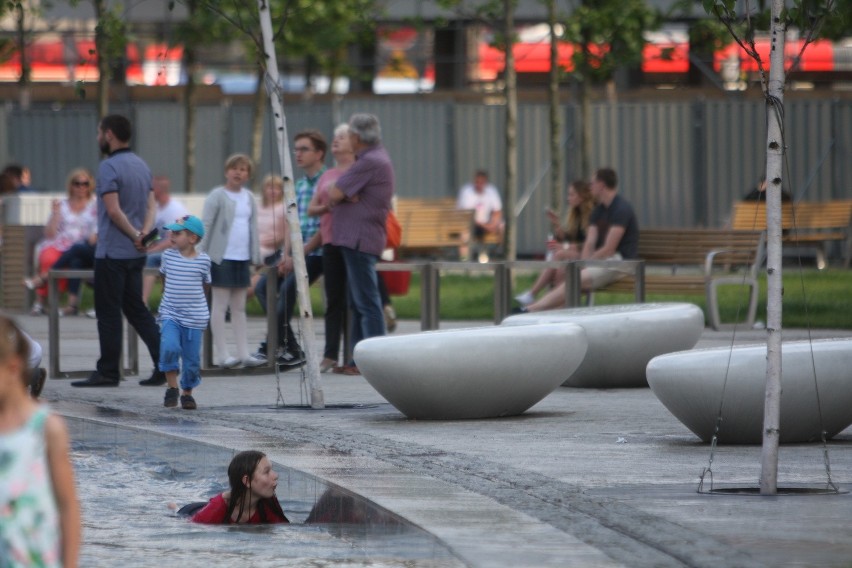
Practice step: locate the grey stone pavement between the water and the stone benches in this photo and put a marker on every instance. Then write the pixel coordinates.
(584, 478)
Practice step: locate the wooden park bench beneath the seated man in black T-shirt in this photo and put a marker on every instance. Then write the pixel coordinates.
(698, 261)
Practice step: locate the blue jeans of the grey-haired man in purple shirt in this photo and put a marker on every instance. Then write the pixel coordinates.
(362, 279)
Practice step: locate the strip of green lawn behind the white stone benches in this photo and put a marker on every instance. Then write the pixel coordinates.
(818, 299)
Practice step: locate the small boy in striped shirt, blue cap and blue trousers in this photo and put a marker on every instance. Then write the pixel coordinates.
(183, 310)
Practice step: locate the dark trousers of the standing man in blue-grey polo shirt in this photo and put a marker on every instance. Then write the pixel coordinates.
(118, 289)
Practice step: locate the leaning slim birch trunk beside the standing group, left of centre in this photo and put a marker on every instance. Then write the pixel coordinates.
(296, 244)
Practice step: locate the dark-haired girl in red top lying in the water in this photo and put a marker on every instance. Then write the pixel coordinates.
(252, 497)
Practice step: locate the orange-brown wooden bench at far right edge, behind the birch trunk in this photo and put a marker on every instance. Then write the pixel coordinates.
(807, 224)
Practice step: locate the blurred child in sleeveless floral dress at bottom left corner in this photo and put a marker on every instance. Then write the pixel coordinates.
(39, 512)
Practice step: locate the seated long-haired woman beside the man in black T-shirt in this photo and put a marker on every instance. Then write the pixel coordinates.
(568, 238)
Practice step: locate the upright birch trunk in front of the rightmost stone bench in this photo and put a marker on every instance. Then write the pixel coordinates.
(774, 170)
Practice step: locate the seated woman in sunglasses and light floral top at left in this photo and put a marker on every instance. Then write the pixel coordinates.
(73, 221)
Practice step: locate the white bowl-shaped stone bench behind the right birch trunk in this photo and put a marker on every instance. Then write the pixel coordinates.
(690, 385)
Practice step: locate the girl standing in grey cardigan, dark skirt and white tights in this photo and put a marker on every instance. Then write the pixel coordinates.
(231, 242)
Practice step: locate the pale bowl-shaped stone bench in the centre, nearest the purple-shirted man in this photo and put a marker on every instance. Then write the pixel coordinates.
(483, 372)
